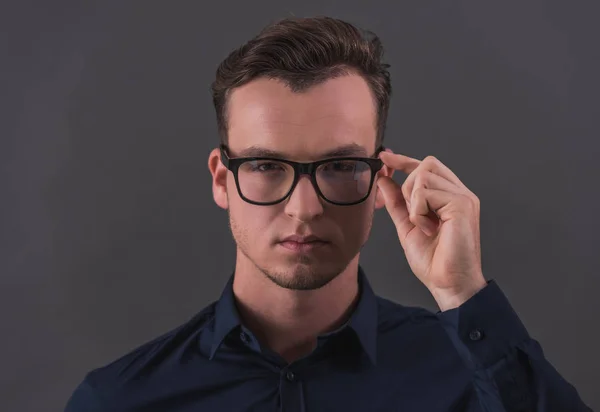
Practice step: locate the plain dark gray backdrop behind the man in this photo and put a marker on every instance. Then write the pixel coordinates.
(109, 234)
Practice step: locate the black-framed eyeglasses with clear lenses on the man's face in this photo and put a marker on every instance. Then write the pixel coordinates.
(342, 181)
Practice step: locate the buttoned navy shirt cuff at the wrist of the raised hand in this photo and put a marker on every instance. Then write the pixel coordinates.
(487, 324)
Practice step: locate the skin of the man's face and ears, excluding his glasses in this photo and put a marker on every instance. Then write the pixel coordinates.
(302, 127)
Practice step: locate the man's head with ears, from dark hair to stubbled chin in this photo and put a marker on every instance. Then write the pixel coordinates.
(303, 90)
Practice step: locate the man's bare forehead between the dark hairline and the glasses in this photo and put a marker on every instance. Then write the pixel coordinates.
(334, 119)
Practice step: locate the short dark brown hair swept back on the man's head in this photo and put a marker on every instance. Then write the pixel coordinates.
(303, 52)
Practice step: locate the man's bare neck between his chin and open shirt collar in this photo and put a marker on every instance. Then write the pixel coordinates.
(289, 321)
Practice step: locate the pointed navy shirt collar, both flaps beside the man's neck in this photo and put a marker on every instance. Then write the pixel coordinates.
(363, 320)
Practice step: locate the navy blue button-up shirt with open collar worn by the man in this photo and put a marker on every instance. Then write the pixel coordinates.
(387, 357)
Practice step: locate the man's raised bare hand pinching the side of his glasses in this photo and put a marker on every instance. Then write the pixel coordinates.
(437, 220)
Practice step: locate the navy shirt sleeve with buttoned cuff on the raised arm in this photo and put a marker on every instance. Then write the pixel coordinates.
(511, 372)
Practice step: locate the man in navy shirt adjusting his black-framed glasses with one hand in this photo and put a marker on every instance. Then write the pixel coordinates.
(301, 111)
